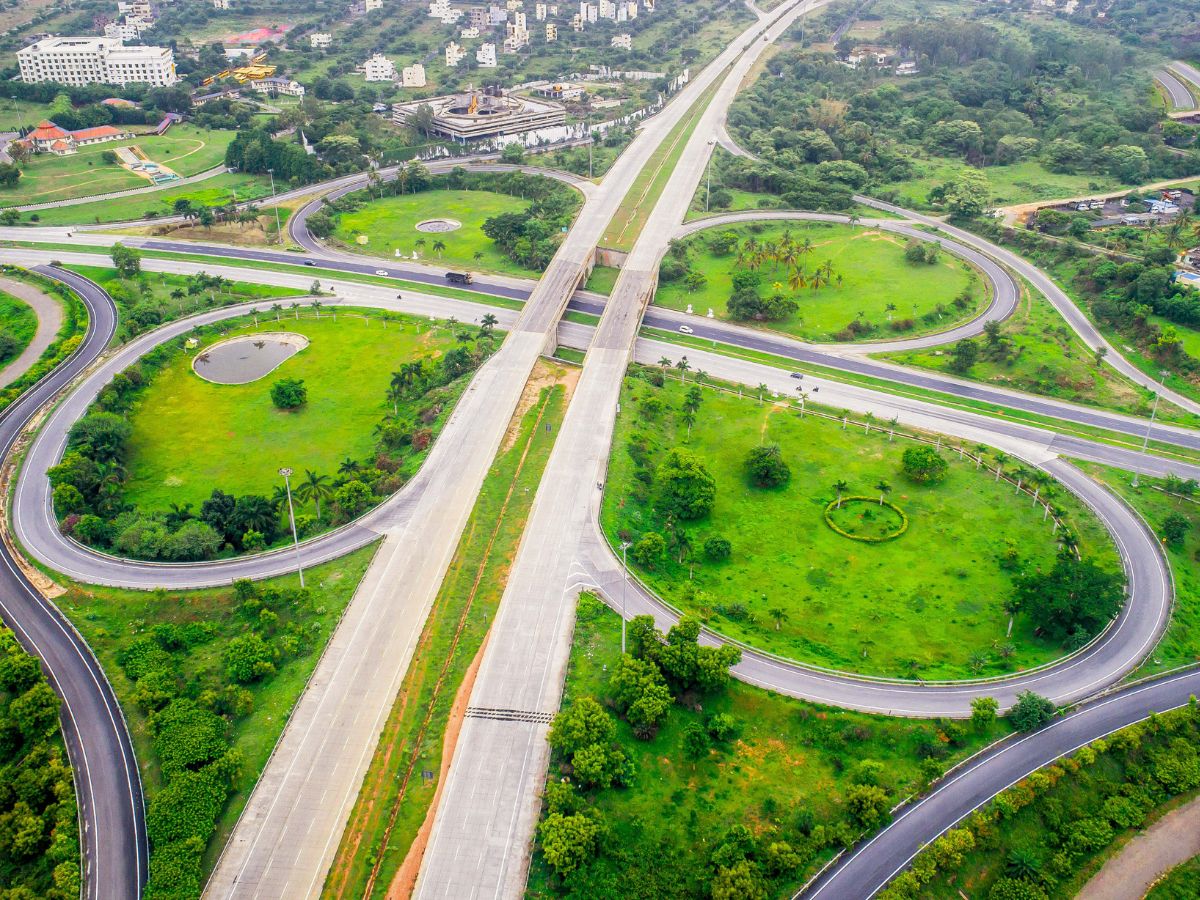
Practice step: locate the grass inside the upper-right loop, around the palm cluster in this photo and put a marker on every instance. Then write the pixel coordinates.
(871, 265)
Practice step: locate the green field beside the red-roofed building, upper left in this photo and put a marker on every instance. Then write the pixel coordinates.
(185, 149)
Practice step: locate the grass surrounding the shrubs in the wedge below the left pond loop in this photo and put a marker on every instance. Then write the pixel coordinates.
(110, 620)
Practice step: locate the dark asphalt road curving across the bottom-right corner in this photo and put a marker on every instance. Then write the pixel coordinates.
(868, 868)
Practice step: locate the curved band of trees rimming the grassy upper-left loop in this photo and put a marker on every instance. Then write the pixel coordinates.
(529, 238)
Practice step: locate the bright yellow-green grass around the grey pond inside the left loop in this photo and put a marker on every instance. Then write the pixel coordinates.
(191, 436)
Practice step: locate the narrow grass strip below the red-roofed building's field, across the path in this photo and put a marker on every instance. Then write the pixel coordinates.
(215, 191)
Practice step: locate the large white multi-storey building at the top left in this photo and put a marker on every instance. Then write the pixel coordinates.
(95, 61)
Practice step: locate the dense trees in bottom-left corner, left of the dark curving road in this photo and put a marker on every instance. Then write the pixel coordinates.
(39, 819)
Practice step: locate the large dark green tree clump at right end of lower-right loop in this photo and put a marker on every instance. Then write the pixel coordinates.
(1075, 598)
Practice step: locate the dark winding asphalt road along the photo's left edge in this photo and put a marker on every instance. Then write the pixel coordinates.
(106, 773)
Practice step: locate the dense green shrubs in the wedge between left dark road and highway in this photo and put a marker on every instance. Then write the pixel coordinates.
(194, 682)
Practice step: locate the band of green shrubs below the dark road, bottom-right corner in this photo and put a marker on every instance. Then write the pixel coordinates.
(1036, 838)
